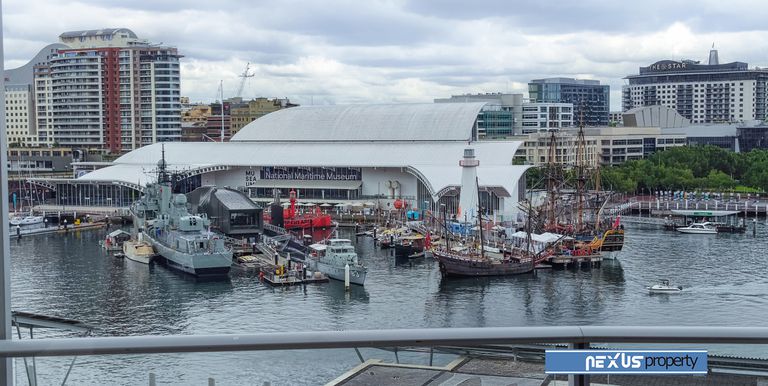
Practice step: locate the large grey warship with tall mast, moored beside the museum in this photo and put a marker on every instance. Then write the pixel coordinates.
(184, 240)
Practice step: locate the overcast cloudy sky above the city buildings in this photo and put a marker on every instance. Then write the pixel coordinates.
(367, 51)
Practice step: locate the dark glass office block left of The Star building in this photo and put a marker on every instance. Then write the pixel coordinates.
(590, 99)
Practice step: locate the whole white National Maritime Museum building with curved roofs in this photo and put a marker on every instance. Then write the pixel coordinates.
(364, 154)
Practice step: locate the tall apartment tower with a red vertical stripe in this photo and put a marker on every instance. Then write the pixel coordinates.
(107, 89)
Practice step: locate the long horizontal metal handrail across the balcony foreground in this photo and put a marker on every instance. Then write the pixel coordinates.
(579, 335)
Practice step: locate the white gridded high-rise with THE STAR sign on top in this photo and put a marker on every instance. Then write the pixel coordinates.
(703, 93)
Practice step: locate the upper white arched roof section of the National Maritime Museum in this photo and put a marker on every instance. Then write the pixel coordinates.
(395, 122)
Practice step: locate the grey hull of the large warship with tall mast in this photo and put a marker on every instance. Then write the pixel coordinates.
(200, 265)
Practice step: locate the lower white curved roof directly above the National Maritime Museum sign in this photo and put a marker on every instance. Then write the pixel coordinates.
(436, 162)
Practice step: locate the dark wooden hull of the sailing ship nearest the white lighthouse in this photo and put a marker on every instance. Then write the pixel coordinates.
(464, 267)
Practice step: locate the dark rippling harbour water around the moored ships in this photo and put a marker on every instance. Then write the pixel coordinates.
(725, 278)
